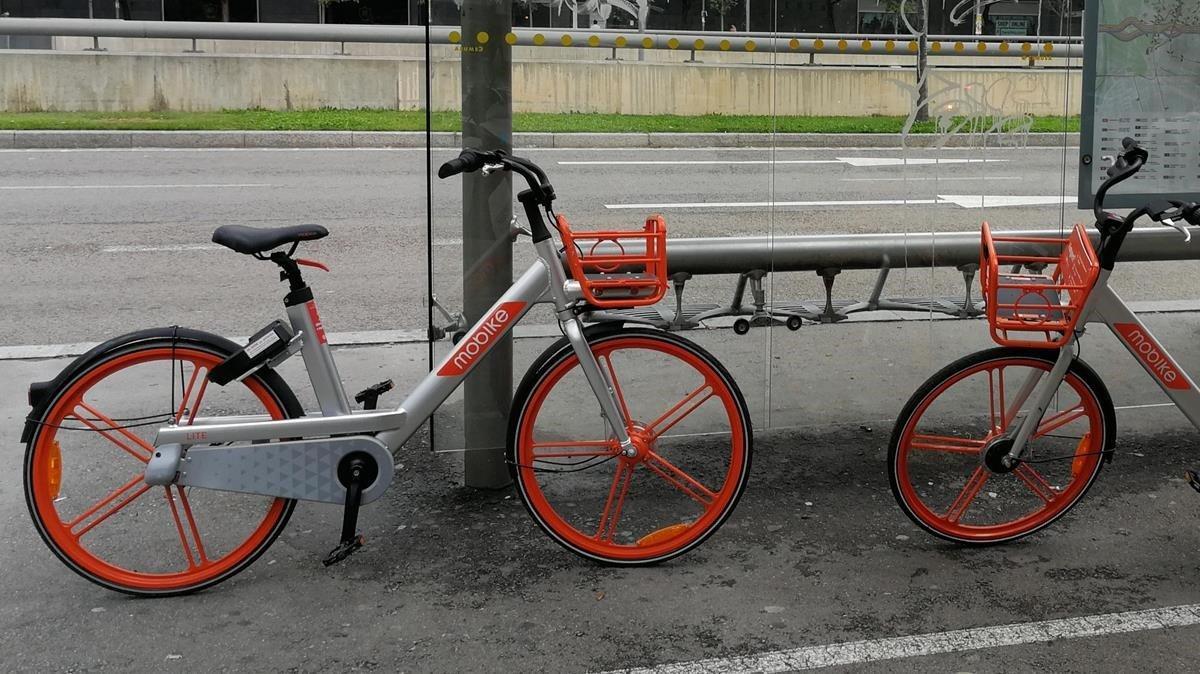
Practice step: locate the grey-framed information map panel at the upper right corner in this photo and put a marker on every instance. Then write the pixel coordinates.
(1142, 80)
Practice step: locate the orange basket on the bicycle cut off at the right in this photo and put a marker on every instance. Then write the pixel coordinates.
(1037, 310)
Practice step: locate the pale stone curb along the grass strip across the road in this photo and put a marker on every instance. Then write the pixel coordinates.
(349, 140)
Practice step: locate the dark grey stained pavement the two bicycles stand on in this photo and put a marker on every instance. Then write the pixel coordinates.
(455, 580)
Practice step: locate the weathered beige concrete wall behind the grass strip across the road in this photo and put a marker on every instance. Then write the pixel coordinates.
(59, 81)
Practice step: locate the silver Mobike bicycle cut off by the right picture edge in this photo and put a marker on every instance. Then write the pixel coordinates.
(1001, 443)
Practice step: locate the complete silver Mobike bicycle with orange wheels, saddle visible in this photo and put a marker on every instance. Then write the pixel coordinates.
(166, 461)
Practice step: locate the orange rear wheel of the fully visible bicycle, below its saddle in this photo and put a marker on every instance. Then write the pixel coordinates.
(85, 472)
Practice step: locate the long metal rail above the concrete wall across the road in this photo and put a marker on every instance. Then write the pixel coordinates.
(801, 44)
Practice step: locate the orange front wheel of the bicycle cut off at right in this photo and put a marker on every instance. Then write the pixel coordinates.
(939, 455)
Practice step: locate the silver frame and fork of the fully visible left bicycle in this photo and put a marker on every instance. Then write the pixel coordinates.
(545, 281)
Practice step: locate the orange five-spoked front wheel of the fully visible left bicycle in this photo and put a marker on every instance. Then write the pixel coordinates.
(688, 420)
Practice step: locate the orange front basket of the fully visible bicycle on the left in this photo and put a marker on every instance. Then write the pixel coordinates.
(619, 269)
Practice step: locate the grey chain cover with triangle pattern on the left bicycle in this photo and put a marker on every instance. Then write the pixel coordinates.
(295, 470)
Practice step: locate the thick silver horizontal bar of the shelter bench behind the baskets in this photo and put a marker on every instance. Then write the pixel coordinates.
(878, 251)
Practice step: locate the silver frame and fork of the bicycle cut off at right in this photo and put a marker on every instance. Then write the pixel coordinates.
(1105, 306)
